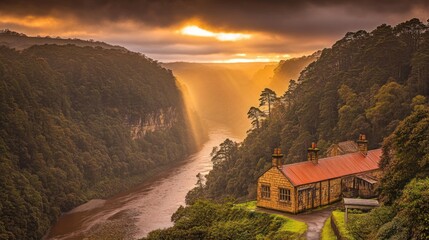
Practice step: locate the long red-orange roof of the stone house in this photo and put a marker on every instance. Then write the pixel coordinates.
(331, 167)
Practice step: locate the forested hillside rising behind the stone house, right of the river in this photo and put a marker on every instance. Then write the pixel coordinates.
(366, 83)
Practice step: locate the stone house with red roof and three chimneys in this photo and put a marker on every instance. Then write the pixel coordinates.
(316, 182)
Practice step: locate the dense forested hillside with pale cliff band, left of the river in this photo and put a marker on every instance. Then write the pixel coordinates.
(78, 123)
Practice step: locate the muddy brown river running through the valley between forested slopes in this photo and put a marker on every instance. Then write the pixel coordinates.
(146, 207)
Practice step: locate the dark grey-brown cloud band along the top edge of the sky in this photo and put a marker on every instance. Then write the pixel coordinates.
(312, 17)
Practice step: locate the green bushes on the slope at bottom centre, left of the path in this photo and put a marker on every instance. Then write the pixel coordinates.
(208, 220)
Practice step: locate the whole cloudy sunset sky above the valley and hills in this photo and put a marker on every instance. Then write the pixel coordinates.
(208, 30)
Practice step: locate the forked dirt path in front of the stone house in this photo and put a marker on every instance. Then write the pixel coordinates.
(314, 219)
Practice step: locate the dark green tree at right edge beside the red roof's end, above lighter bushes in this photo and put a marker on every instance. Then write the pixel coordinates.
(405, 154)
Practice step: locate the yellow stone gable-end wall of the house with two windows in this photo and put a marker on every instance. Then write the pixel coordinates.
(275, 179)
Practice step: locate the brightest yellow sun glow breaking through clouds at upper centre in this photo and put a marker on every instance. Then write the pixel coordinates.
(221, 36)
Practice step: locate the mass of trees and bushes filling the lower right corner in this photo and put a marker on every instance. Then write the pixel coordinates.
(404, 184)
